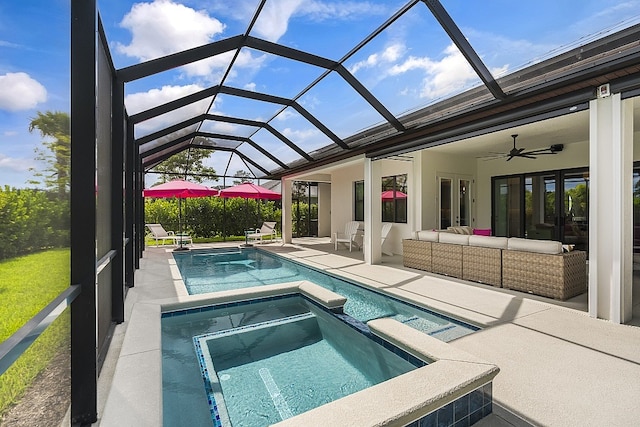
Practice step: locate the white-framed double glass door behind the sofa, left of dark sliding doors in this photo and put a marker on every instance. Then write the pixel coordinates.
(454, 200)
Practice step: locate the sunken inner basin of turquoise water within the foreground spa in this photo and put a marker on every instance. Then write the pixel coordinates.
(274, 370)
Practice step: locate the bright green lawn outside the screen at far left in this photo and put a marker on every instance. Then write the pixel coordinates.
(27, 285)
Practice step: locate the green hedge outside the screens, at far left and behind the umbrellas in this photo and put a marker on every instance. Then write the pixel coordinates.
(32, 220)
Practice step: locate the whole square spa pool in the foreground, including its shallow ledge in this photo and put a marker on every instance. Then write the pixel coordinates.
(271, 360)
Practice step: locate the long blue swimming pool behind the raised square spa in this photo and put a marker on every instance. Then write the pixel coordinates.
(217, 270)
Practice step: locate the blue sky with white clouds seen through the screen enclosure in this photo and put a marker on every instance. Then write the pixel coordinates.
(409, 65)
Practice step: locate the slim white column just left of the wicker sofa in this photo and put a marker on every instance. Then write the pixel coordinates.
(372, 212)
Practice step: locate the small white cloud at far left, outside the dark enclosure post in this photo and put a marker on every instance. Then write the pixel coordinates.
(19, 91)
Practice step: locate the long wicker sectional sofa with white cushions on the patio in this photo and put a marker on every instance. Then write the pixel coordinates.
(539, 267)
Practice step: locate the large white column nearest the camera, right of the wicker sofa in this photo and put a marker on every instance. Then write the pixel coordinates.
(610, 208)
